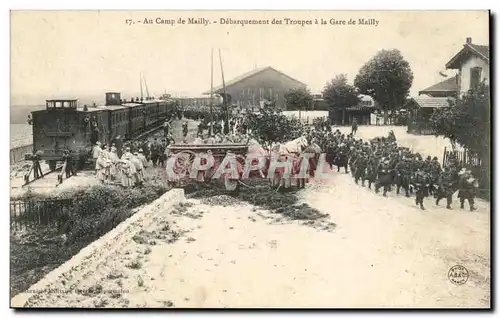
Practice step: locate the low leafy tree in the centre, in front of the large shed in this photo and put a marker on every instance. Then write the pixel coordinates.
(272, 126)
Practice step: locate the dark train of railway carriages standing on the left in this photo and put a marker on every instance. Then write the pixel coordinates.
(64, 125)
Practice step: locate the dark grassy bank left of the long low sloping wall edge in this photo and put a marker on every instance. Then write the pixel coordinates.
(95, 211)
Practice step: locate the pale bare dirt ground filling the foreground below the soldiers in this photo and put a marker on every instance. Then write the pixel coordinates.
(384, 252)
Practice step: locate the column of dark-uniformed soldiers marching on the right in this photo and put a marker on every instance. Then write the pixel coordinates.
(384, 164)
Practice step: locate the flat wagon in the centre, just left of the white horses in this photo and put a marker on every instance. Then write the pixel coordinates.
(182, 157)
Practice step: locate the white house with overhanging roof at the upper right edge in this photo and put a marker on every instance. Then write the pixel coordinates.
(473, 65)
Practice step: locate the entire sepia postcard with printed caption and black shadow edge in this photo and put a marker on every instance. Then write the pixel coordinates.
(250, 159)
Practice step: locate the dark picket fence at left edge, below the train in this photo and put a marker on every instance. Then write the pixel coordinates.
(27, 214)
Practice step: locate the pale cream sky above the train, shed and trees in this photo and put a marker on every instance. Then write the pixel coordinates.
(58, 54)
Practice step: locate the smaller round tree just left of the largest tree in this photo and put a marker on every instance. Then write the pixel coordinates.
(340, 95)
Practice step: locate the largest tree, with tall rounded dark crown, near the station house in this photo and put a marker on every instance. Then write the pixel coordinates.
(387, 77)
